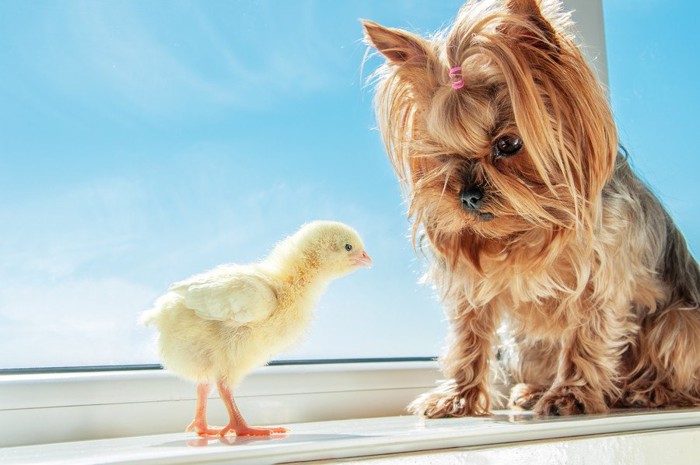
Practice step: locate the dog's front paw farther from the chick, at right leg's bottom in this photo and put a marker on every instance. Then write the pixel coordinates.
(569, 401)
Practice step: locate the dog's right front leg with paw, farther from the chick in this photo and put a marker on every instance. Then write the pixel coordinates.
(587, 378)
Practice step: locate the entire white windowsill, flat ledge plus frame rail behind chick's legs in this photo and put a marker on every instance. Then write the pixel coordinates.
(332, 410)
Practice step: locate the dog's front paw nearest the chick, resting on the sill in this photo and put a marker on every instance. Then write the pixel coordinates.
(446, 401)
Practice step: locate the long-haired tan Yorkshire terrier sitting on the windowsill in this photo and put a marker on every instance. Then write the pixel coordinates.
(504, 141)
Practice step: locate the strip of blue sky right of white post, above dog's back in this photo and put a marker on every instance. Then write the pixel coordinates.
(652, 50)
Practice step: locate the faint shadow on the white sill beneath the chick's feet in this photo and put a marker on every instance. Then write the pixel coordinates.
(242, 441)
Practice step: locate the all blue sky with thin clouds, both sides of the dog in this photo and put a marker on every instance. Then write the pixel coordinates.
(146, 141)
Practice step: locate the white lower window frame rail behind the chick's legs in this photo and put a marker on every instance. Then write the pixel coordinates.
(40, 408)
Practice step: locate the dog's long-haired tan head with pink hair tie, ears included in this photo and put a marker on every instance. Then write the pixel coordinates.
(497, 127)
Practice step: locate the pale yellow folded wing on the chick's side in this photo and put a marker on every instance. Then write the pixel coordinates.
(232, 295)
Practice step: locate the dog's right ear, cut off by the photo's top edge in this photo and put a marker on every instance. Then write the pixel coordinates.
(535, 30)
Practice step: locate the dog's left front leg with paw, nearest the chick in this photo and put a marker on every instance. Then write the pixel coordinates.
(465, 392)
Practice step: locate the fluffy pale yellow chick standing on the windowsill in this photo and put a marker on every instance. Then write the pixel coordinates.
(220, 325)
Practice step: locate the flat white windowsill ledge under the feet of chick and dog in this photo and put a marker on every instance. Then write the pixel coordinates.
(425, 441)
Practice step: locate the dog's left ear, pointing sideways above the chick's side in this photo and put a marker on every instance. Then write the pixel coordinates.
(398, 46)
